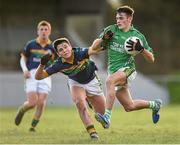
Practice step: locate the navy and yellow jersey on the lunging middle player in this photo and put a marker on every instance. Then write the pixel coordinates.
(80, 69)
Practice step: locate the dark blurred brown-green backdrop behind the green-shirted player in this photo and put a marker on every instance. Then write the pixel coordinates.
(159, 21)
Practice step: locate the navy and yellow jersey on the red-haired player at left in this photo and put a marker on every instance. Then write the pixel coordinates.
(34, 50)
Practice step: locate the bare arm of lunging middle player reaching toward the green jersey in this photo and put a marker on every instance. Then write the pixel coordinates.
(95, 47)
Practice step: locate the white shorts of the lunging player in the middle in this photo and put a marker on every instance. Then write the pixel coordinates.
(93, 88)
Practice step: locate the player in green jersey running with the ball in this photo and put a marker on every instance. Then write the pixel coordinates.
(121, 66)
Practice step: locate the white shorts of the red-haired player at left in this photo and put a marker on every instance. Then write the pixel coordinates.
(40, 86)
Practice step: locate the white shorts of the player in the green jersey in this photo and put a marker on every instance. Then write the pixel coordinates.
(130, 76)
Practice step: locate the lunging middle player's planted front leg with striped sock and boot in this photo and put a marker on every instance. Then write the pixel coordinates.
(79, 98)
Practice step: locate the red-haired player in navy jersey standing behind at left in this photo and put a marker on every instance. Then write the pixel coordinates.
(36, 91)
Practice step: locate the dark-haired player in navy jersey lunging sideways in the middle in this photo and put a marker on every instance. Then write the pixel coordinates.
(83, 80)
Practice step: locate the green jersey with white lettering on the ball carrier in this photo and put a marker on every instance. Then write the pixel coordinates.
(117, 56)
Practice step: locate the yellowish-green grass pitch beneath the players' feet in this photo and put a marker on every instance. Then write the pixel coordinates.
(63, 126)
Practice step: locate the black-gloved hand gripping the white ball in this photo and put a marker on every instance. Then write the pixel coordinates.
(135, 45)
